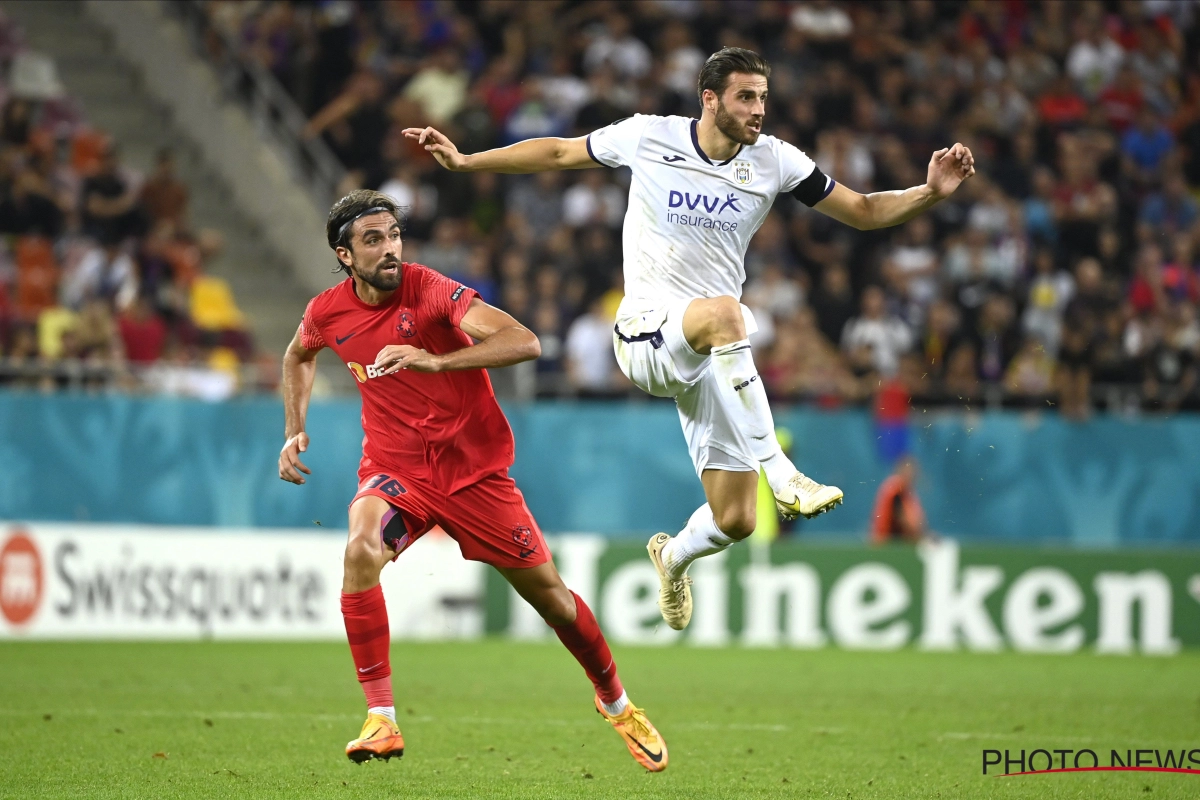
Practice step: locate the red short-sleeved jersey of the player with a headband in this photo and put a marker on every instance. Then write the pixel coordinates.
(443, 428)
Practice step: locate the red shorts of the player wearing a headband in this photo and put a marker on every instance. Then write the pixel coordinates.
(489, 520)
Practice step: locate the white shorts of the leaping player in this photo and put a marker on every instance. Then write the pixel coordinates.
(661, 363)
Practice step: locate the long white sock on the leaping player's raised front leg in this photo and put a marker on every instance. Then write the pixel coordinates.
(747, 402)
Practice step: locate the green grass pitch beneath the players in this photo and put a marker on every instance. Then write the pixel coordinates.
(502, 720)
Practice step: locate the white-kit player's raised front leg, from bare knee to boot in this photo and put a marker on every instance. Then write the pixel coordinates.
(717, 327)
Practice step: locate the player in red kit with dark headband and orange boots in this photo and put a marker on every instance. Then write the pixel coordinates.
(436, 453)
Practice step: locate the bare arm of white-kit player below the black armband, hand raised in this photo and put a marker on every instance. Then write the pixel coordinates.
(947, 170)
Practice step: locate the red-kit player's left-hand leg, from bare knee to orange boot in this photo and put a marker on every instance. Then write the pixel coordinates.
(373, 520)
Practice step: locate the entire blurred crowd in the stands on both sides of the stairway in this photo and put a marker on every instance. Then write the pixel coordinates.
(1064, 275)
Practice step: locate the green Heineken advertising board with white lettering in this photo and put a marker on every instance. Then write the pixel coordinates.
(935, 597)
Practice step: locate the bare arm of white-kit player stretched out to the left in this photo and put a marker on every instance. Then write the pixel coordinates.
(530, 157)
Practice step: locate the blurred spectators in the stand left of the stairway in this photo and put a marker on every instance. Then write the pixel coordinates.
(103, 276)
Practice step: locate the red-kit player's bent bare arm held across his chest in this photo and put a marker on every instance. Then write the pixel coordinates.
(502, 342)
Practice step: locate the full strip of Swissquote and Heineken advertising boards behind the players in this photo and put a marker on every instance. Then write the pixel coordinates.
(146, 582)
